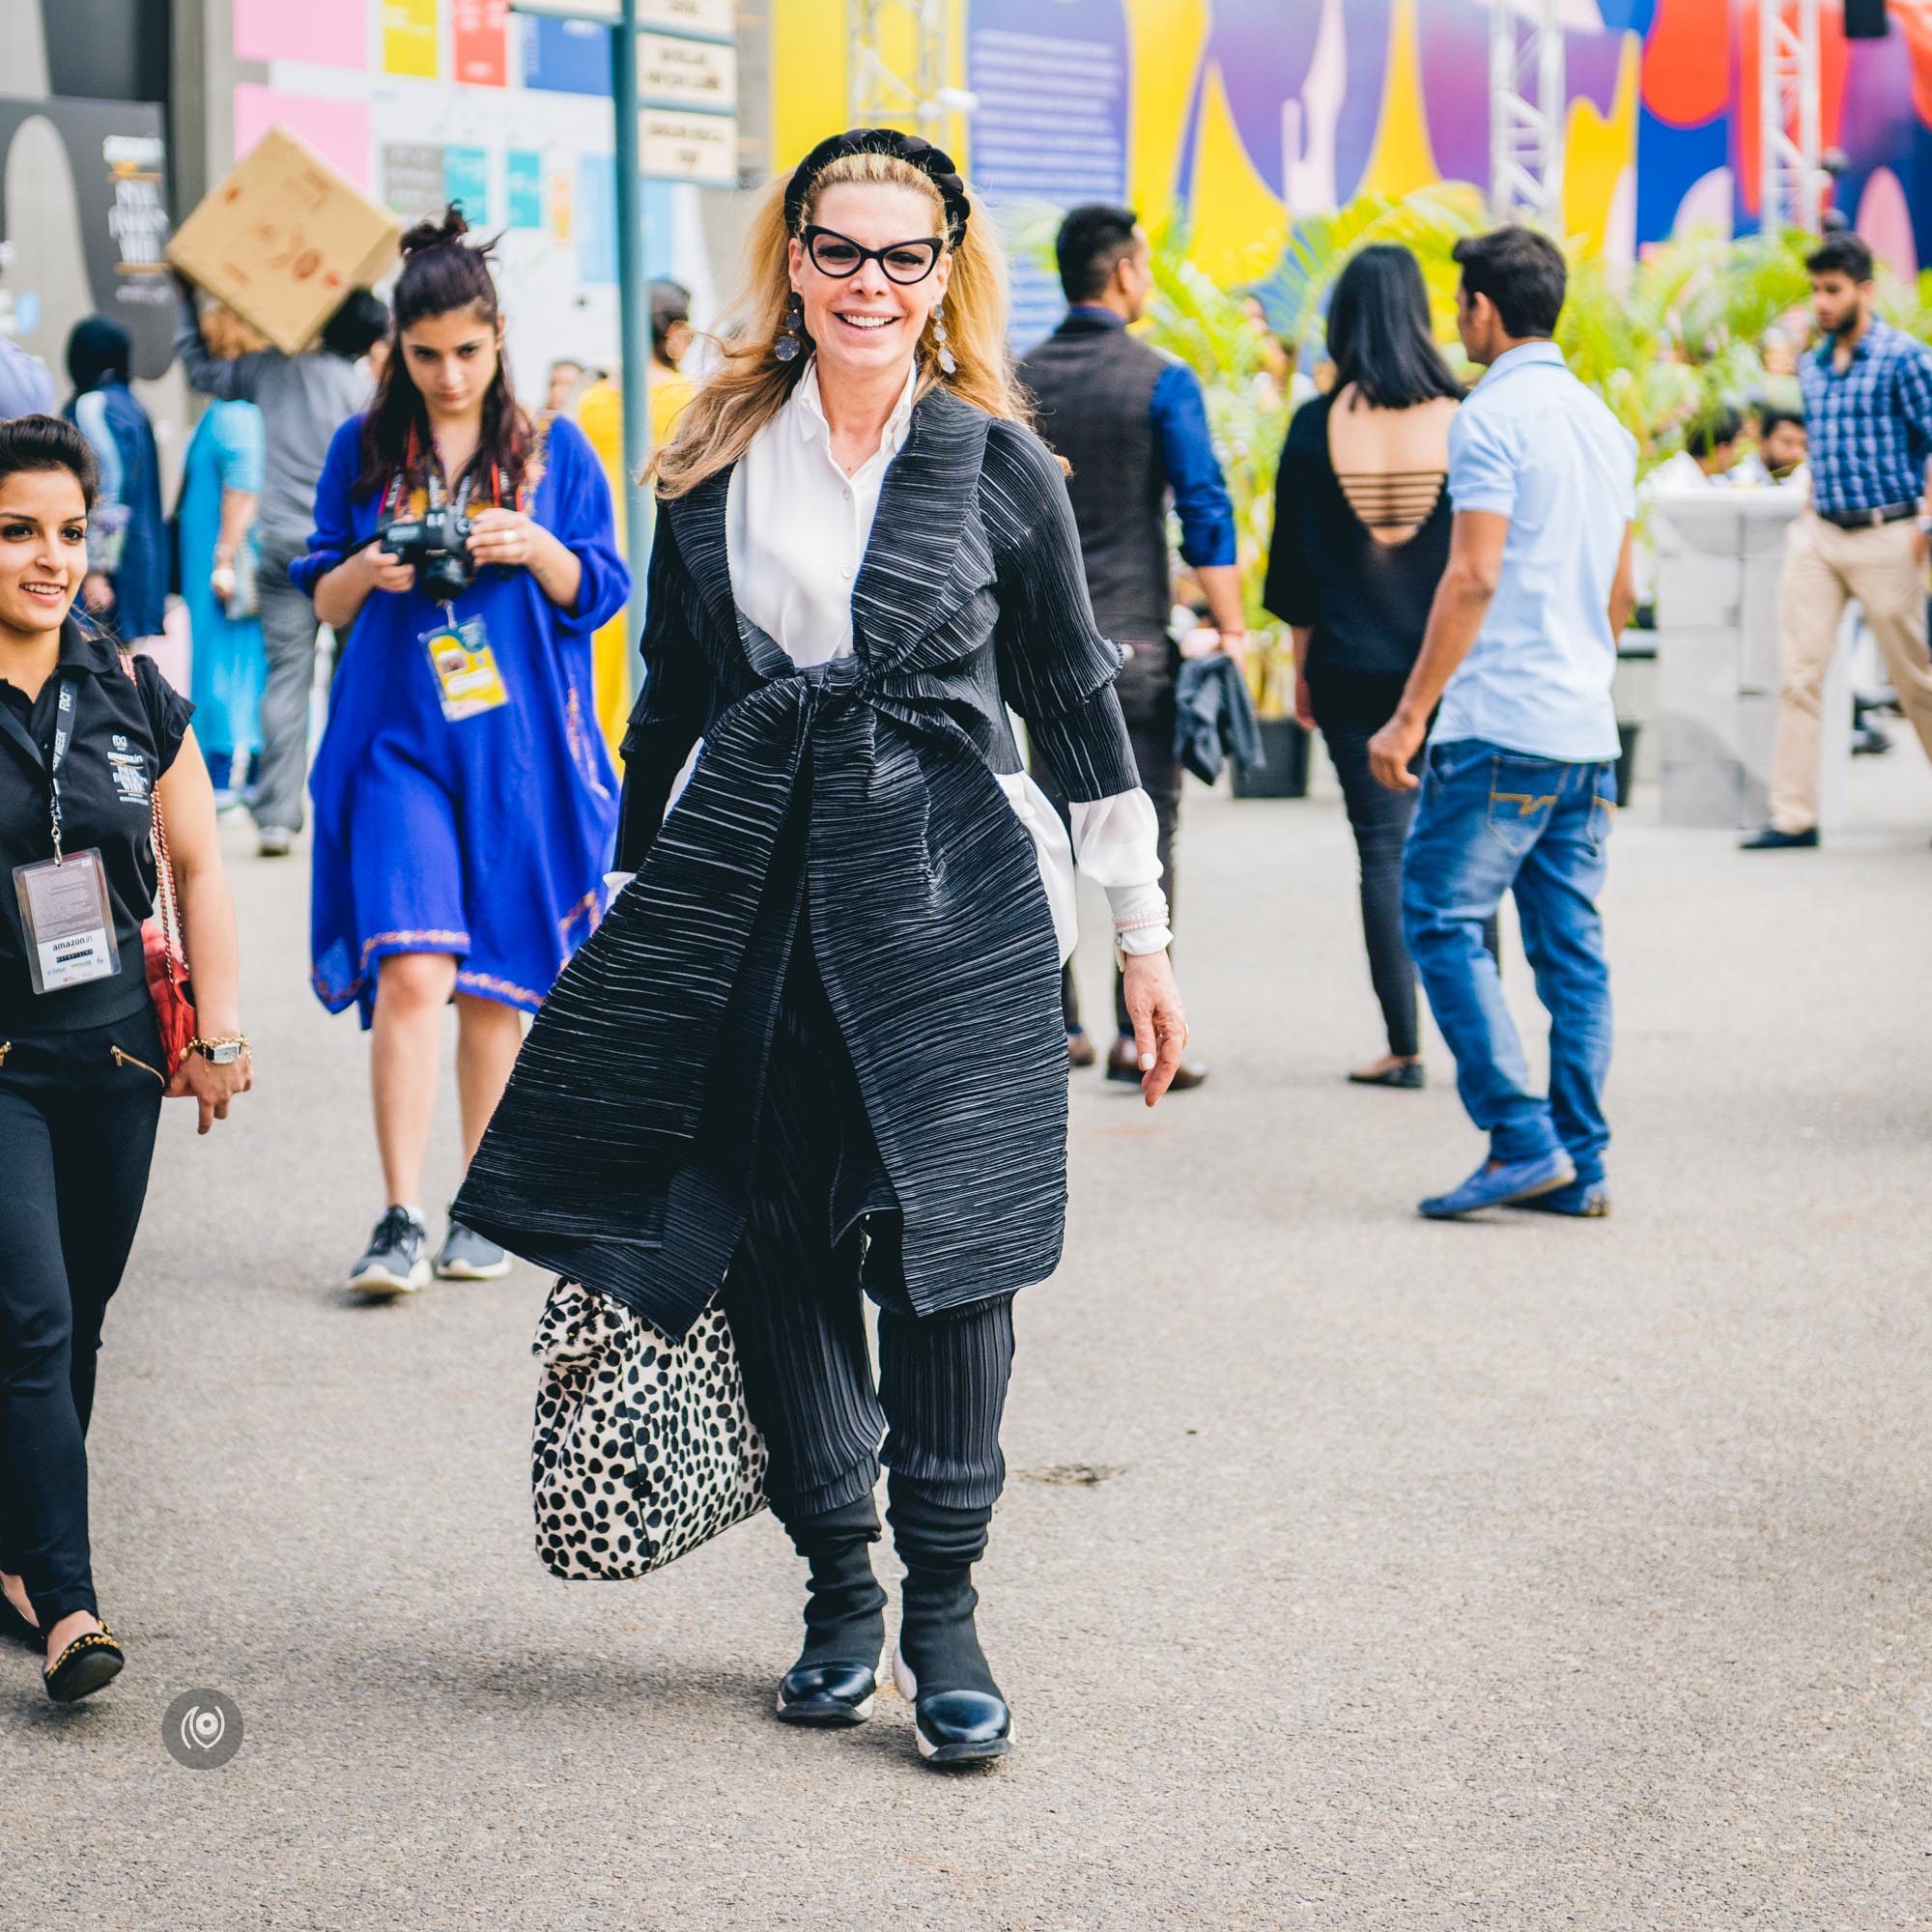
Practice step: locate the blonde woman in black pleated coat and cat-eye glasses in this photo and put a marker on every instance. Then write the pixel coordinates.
(816, 1046)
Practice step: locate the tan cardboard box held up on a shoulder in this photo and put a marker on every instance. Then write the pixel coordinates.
(285, 241)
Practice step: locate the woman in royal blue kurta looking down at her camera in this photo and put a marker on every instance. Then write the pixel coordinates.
(465, 803)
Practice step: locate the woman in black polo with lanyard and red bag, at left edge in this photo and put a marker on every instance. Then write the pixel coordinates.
(86, 743)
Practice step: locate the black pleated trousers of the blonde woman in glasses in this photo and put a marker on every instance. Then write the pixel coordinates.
(820, 1236)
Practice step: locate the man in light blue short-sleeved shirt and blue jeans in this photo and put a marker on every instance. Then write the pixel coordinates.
(1520, 781)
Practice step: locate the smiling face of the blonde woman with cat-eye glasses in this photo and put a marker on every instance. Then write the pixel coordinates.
(865, 322)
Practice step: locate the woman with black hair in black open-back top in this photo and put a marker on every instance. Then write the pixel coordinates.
(1361, 540)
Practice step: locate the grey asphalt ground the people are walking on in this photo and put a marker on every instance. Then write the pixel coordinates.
(1355, 1572)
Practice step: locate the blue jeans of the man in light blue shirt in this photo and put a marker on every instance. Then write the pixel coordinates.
(1491, 822)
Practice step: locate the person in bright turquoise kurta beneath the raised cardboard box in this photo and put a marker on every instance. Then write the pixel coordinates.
(221, 482)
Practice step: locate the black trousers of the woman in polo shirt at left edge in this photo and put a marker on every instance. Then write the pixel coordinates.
(78, 1118)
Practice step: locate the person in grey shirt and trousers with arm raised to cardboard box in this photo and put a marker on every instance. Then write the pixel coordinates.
(304, 401)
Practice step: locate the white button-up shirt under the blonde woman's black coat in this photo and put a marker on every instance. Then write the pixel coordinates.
(797, 530)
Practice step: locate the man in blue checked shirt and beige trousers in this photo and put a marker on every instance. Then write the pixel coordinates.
(1869, 418)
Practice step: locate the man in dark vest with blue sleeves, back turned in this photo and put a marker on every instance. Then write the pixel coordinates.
(1133, 424)
